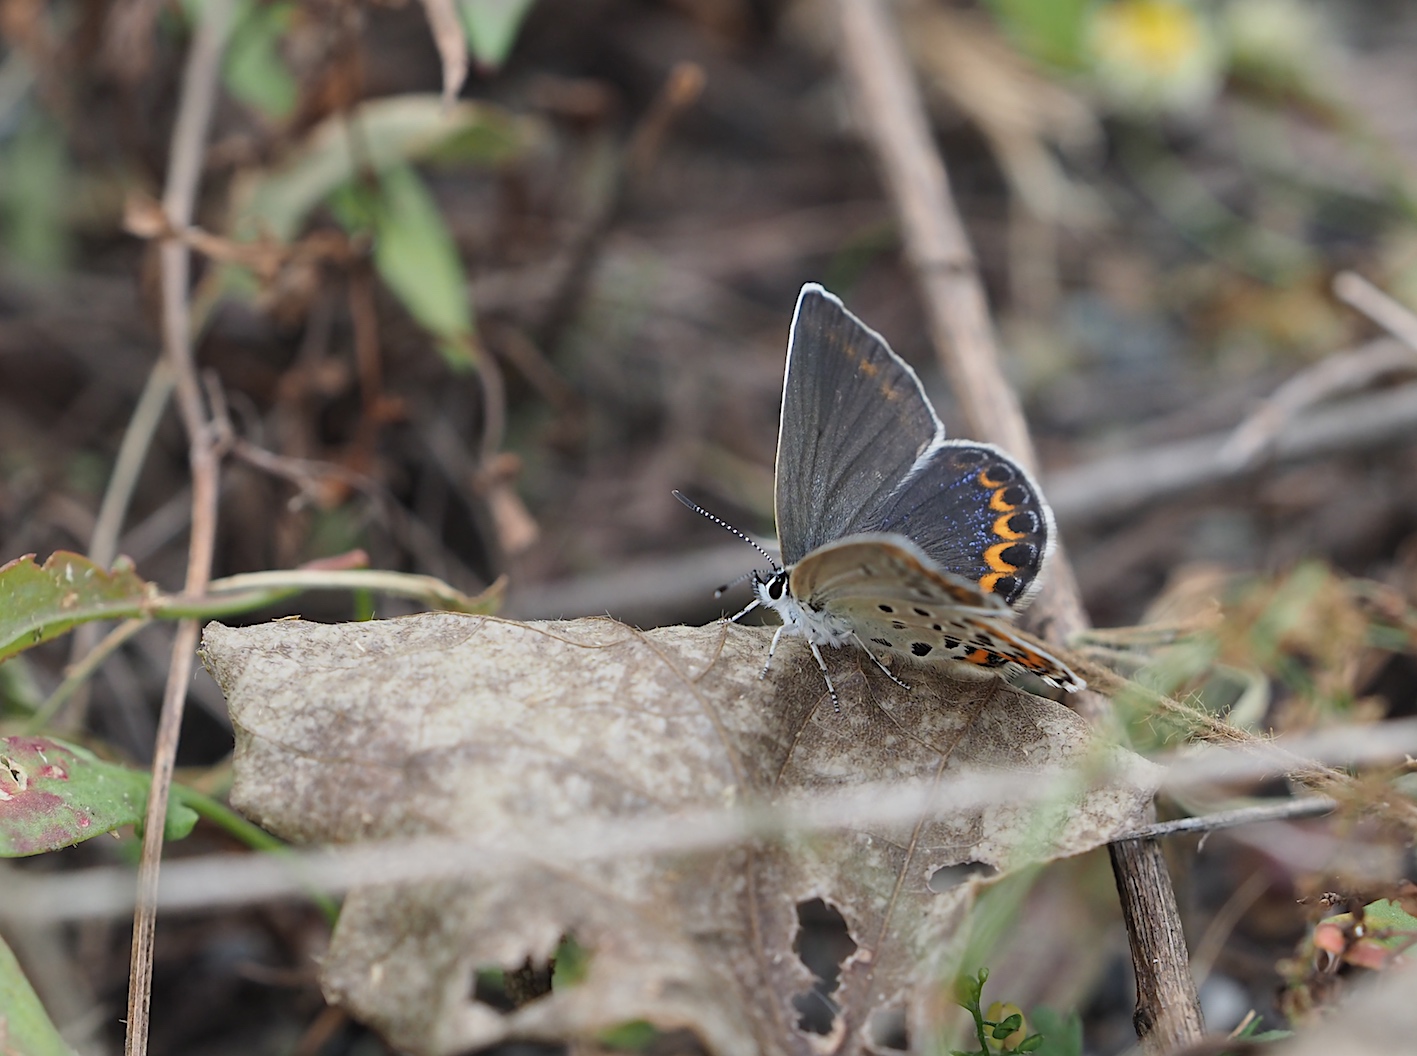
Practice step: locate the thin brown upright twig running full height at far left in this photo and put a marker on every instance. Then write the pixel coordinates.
(198, 101)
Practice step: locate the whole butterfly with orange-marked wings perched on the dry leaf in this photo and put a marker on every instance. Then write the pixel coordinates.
(893, 538)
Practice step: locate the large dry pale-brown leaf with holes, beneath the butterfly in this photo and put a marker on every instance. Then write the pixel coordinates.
(488, 729)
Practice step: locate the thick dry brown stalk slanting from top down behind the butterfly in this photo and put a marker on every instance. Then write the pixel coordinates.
(895, 124)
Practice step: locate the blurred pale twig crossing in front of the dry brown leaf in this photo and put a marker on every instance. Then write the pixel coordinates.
(222, 881)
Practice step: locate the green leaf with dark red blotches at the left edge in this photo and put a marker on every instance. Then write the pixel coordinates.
(56, 794)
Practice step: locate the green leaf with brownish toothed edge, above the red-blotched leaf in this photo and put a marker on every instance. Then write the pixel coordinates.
(42, 603)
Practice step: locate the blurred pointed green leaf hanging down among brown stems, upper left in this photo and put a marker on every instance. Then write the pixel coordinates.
(417, 259)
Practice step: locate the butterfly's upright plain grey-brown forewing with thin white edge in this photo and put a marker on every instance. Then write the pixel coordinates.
(855, 422)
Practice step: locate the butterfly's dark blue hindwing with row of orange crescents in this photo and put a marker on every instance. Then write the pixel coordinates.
(977, 514)
